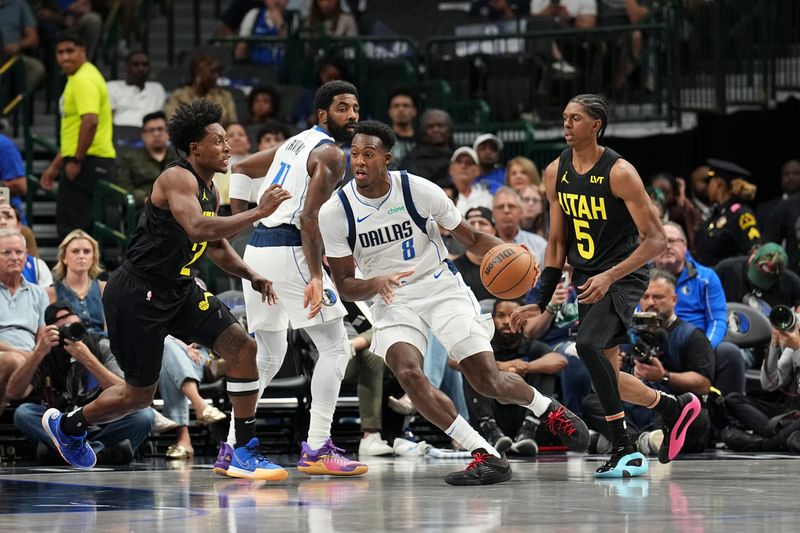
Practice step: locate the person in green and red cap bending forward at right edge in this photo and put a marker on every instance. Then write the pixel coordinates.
(760, 280)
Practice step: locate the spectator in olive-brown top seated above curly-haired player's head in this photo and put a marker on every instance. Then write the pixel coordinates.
(204, 72)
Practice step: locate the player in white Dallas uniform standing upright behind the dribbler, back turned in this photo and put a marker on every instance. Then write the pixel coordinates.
(288, 245)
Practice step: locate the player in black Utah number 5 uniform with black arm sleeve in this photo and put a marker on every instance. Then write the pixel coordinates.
(602, 220)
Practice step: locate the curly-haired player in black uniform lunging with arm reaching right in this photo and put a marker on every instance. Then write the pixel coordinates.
(153, 294)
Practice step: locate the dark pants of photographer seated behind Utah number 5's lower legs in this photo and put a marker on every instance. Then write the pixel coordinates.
(639, 419)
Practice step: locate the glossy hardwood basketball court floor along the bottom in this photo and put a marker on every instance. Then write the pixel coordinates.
(554, 493)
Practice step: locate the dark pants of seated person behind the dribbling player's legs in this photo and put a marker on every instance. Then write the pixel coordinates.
(508, 417)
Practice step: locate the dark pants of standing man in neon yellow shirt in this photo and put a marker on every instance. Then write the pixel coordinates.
(74, 197)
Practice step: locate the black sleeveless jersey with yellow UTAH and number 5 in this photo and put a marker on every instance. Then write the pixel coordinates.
(599, 228)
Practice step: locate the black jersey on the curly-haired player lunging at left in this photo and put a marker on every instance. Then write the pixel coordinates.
(159, 247)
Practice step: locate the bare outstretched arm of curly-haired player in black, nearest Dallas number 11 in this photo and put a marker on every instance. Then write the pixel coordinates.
(176, 189)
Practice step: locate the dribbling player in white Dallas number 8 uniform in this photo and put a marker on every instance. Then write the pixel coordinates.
(385, 222)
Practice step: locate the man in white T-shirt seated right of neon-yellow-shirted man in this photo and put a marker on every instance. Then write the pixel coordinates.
(134, 98)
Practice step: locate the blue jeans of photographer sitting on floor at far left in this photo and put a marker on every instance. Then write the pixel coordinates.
(134, 427)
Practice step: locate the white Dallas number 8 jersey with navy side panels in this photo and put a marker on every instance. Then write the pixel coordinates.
(392, 234)
